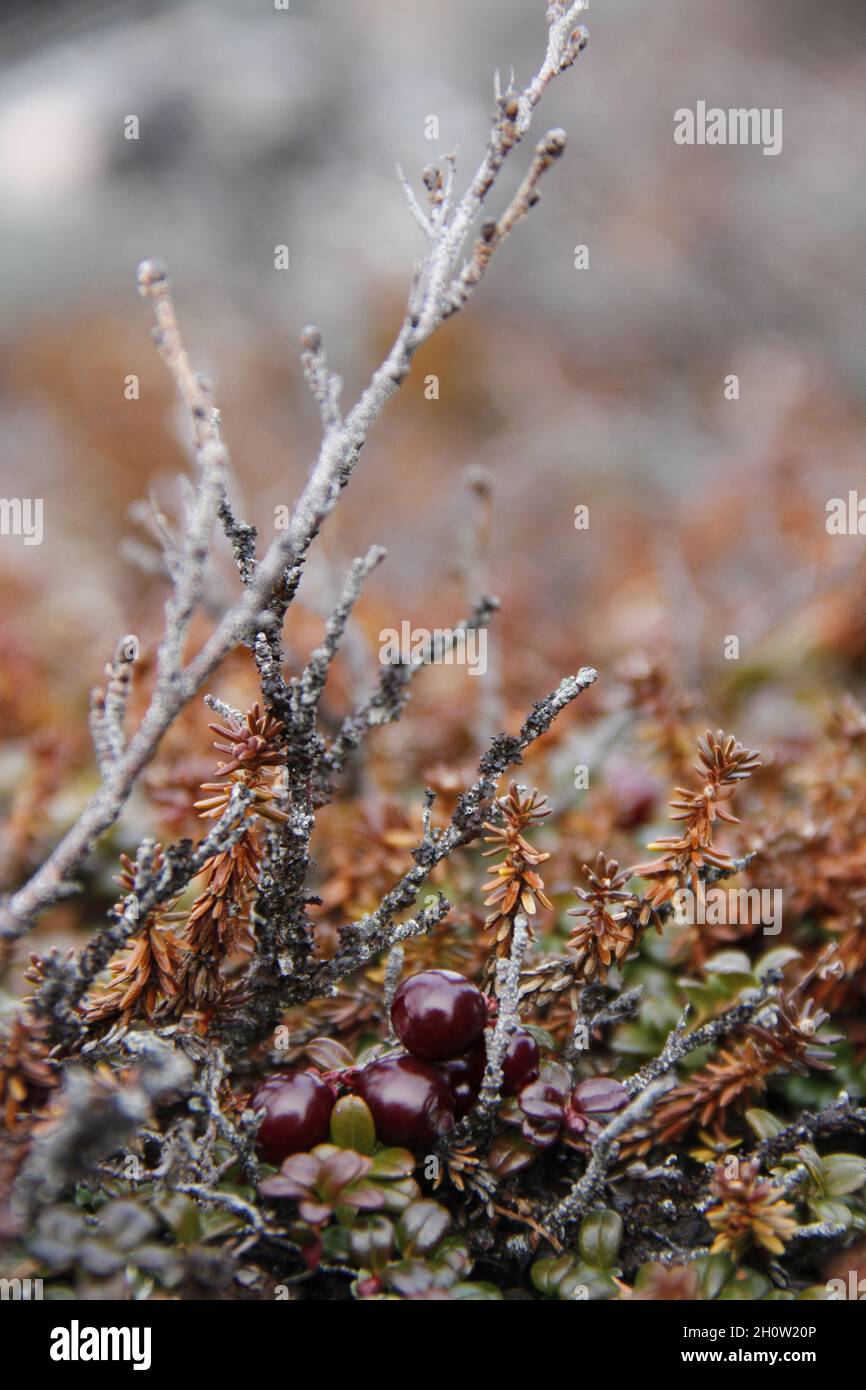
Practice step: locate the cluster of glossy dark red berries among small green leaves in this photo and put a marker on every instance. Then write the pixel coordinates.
(415, 1097)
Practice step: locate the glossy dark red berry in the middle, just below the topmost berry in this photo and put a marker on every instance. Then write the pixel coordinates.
(409, 1102)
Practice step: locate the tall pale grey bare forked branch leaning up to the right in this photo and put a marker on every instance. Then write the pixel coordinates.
(439, 288)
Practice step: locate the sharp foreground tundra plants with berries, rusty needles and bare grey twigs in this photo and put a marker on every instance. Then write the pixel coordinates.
(354, 1033)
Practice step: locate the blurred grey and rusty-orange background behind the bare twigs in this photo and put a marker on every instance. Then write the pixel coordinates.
(558, 387)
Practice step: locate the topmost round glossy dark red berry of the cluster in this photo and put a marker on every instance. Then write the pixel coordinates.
(439, 1015)
